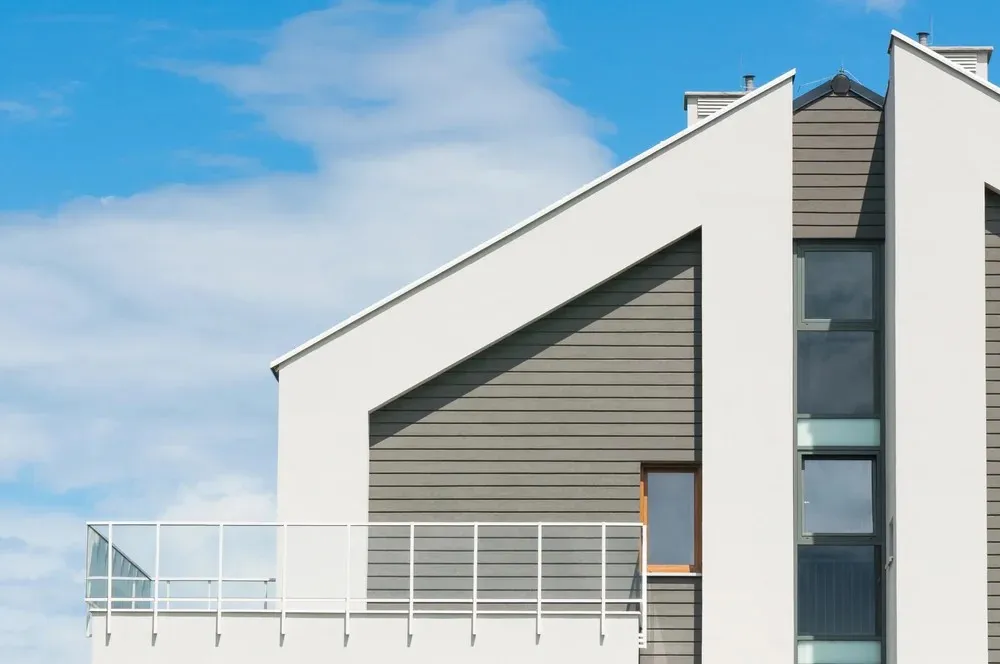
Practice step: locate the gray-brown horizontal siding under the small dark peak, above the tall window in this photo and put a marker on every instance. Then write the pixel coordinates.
(838, 169)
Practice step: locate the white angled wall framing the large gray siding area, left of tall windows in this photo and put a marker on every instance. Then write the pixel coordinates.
(732, 177)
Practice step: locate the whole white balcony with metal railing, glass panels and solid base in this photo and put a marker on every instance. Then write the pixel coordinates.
(447, 592)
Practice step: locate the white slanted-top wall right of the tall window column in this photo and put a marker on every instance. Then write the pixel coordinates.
(946, 136)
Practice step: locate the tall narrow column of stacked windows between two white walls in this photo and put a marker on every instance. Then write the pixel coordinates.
(839, 448)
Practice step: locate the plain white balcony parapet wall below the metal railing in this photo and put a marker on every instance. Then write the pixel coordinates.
(319, 639)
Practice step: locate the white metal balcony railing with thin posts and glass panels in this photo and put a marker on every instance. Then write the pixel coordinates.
(277, 599)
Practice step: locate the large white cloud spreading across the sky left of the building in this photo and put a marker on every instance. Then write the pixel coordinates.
(139, 329)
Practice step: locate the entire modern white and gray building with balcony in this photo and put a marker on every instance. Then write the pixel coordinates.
(731, 402)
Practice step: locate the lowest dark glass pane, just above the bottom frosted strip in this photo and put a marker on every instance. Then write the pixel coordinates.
(838, 591)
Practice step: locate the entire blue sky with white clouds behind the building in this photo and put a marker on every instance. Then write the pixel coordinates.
(191, 189)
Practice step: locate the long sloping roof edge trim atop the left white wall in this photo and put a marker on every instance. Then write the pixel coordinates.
(523, 226)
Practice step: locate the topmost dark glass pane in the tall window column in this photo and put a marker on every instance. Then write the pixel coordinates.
(839, 285)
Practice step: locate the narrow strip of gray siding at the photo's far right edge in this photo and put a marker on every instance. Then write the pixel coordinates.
(993, 415)
